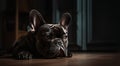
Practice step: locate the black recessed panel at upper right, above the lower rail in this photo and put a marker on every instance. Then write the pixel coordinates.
(106, 20)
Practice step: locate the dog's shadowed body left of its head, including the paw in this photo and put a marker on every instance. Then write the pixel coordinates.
(22, 47)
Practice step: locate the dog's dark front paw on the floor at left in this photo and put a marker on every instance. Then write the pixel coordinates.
(24, 55)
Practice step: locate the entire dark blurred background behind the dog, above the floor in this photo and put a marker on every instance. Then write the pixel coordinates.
(94, 25)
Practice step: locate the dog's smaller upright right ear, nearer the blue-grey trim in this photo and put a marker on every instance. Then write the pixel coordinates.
(65, 20)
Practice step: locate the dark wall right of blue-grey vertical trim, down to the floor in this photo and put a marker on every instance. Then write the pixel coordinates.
(105, 26)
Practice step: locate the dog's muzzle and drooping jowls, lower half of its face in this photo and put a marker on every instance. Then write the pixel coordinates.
(50, 49)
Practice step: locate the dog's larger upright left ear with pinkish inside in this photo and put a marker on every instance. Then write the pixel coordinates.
(36, 20)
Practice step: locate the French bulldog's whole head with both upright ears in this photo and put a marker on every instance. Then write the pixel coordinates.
(52, 39)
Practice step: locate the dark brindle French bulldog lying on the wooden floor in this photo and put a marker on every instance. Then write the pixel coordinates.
(43, 40)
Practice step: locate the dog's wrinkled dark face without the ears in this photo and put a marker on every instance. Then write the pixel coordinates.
(54, 38)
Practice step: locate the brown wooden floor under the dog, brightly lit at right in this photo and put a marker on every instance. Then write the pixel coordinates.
(78, 59)
